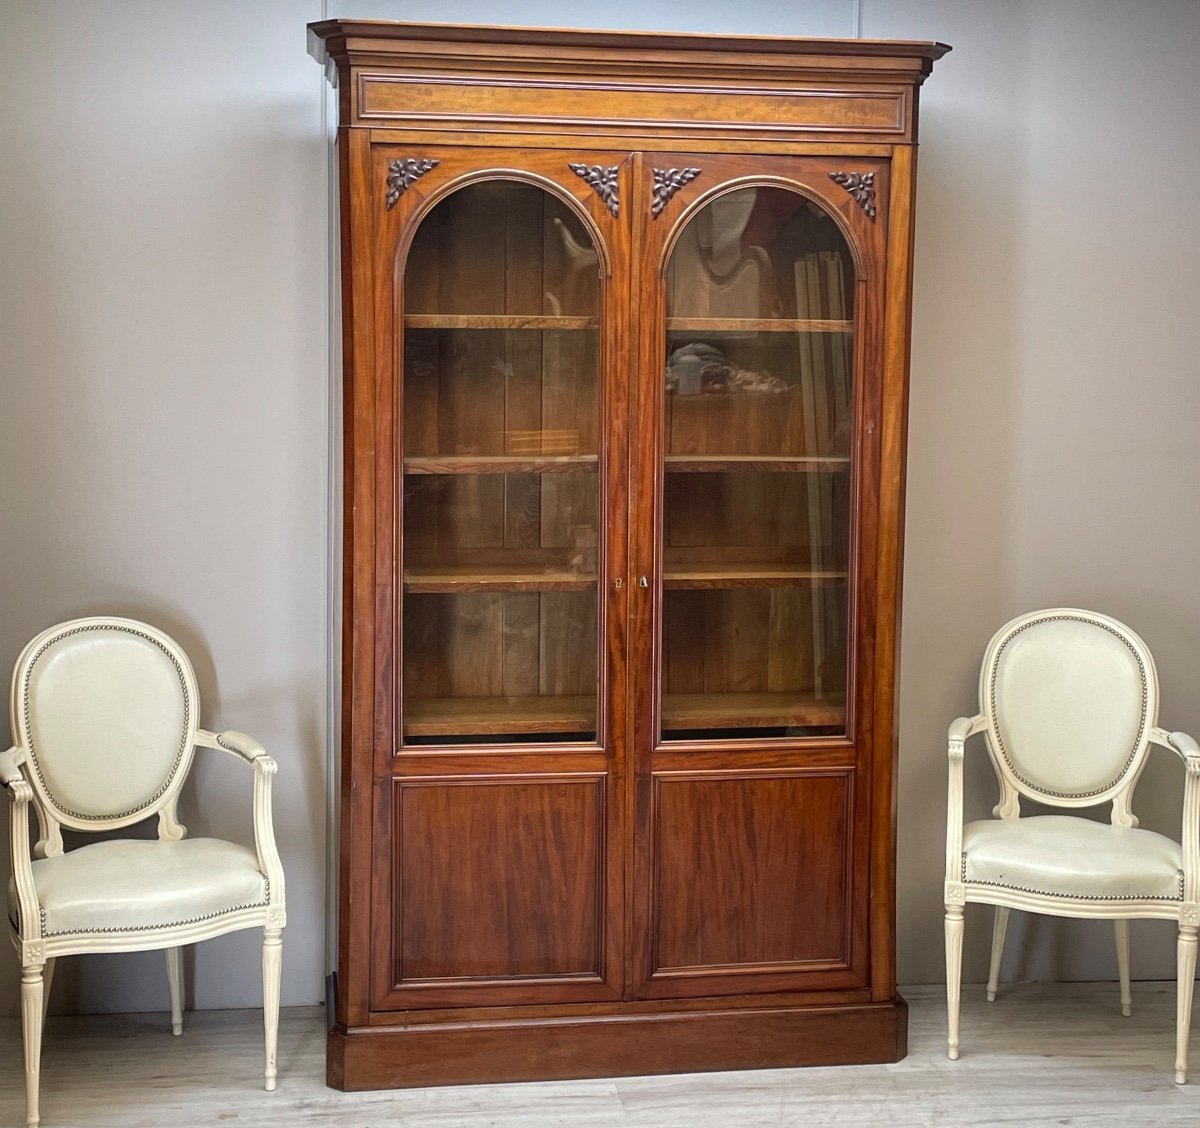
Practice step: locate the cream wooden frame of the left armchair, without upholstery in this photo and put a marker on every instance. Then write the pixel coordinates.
(27, 788)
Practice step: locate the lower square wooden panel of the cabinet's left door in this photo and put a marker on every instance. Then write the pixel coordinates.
(500, 889)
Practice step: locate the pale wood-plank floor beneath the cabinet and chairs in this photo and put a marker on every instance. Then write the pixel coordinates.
(1047, 1055)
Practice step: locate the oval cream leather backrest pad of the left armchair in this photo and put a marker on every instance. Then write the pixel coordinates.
(107, 713)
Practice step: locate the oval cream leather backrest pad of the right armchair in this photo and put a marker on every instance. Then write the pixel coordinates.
(1070, 704)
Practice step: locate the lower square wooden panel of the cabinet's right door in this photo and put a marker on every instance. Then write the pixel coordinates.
(753, 881)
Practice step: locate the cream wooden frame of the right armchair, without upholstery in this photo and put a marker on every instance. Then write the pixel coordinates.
(958, 892)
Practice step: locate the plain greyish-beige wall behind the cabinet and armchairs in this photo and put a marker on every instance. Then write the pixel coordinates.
(165, 394)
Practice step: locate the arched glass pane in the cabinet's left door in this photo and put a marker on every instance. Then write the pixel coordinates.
(501, 448)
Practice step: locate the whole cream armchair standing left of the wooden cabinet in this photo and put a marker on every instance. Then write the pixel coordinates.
(105, 719)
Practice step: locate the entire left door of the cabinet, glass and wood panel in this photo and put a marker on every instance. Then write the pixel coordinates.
(500, 873)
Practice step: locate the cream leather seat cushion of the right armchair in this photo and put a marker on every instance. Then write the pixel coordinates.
(1075, 859)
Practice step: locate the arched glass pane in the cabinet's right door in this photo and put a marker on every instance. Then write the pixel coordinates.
(758, 459)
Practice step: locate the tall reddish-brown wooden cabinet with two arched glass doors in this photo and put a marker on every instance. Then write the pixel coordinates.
(626, 353)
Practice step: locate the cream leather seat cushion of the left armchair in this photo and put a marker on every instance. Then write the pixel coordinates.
(133, 886)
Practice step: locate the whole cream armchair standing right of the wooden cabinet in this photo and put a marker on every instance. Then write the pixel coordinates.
(1070, 707)
